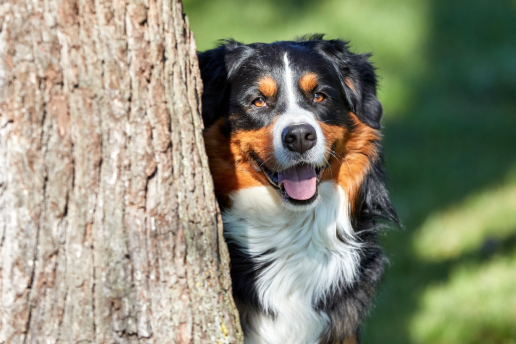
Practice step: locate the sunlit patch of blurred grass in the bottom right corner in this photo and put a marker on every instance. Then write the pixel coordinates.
(477, 304)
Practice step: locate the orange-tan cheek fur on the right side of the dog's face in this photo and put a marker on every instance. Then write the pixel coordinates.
(354, 152)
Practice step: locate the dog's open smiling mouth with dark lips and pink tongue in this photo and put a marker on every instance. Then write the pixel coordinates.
(297, 184)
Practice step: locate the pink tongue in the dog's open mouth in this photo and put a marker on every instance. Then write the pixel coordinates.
(299, 182)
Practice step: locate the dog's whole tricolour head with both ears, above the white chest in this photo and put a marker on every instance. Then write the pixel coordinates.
(289, 115)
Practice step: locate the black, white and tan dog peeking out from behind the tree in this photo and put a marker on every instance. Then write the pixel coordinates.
(292, 133)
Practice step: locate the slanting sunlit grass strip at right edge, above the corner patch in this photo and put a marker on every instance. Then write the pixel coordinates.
(483, 220)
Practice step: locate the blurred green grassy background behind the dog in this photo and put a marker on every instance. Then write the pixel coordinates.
(448, 86)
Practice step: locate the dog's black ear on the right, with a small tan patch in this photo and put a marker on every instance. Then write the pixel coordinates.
(358, 80)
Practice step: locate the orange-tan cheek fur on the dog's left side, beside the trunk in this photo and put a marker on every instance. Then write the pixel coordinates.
(230, 164)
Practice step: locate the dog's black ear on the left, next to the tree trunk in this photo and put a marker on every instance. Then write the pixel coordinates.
(217, 66)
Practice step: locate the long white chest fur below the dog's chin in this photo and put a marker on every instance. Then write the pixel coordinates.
(308, 259)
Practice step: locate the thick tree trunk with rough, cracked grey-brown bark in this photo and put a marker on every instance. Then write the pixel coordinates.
(109, 229)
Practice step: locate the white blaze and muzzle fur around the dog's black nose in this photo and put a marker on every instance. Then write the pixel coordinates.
(295, 115)
